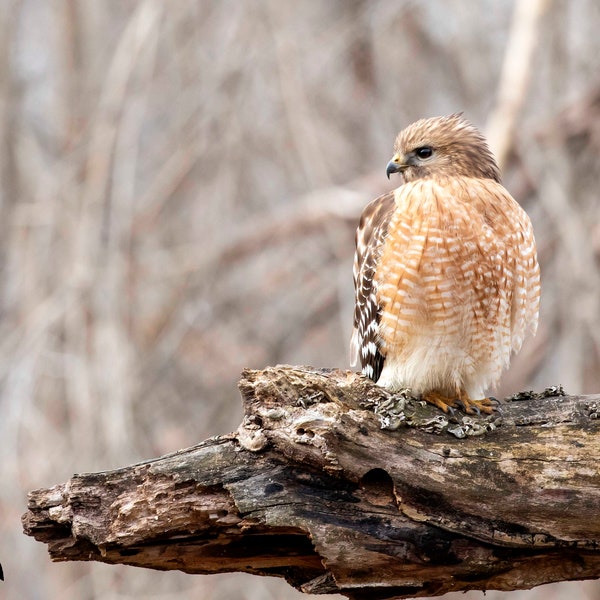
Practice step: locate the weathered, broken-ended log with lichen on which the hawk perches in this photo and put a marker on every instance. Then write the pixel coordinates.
(311, 488)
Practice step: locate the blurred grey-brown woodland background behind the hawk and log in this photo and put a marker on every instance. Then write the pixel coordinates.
(179, 187)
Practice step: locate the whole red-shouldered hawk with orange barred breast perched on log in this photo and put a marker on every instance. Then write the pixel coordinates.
(445, 273)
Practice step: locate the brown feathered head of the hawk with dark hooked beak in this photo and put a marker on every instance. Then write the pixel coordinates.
(442, 146)
